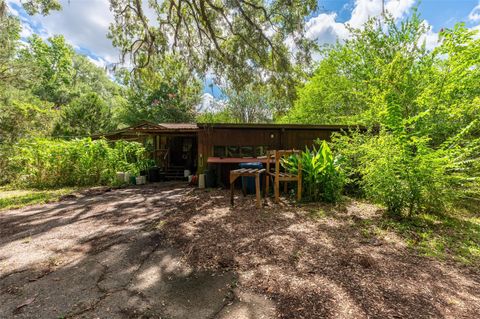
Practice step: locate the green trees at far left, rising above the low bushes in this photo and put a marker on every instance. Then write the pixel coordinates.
(42, 78)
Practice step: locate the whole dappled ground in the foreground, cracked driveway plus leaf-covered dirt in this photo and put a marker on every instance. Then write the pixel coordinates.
(169, 251)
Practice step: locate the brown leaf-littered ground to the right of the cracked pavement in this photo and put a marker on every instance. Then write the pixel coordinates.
(341, 275)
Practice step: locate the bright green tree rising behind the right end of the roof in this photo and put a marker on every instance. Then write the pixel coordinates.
(371, 78)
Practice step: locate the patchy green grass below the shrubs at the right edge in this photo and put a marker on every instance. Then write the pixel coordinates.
(453, 236)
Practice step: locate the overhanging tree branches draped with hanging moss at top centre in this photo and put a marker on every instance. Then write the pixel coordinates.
(245, 41)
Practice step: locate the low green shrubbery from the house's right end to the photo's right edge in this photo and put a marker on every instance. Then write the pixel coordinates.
(406, 174)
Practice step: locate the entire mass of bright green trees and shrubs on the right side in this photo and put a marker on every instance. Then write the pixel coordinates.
(421, 108)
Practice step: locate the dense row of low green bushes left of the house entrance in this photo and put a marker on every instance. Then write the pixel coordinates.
(45, 163)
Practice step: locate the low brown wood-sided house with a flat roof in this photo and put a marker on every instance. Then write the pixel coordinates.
(179, 146)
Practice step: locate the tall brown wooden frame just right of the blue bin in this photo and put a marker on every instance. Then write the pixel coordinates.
(278, 176)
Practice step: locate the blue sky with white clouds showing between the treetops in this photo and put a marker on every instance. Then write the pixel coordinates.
(84, 23)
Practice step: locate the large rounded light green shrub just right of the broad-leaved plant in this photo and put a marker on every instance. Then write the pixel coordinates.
(402, 173)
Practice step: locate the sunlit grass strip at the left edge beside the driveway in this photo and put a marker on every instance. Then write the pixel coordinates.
(10, 199)
